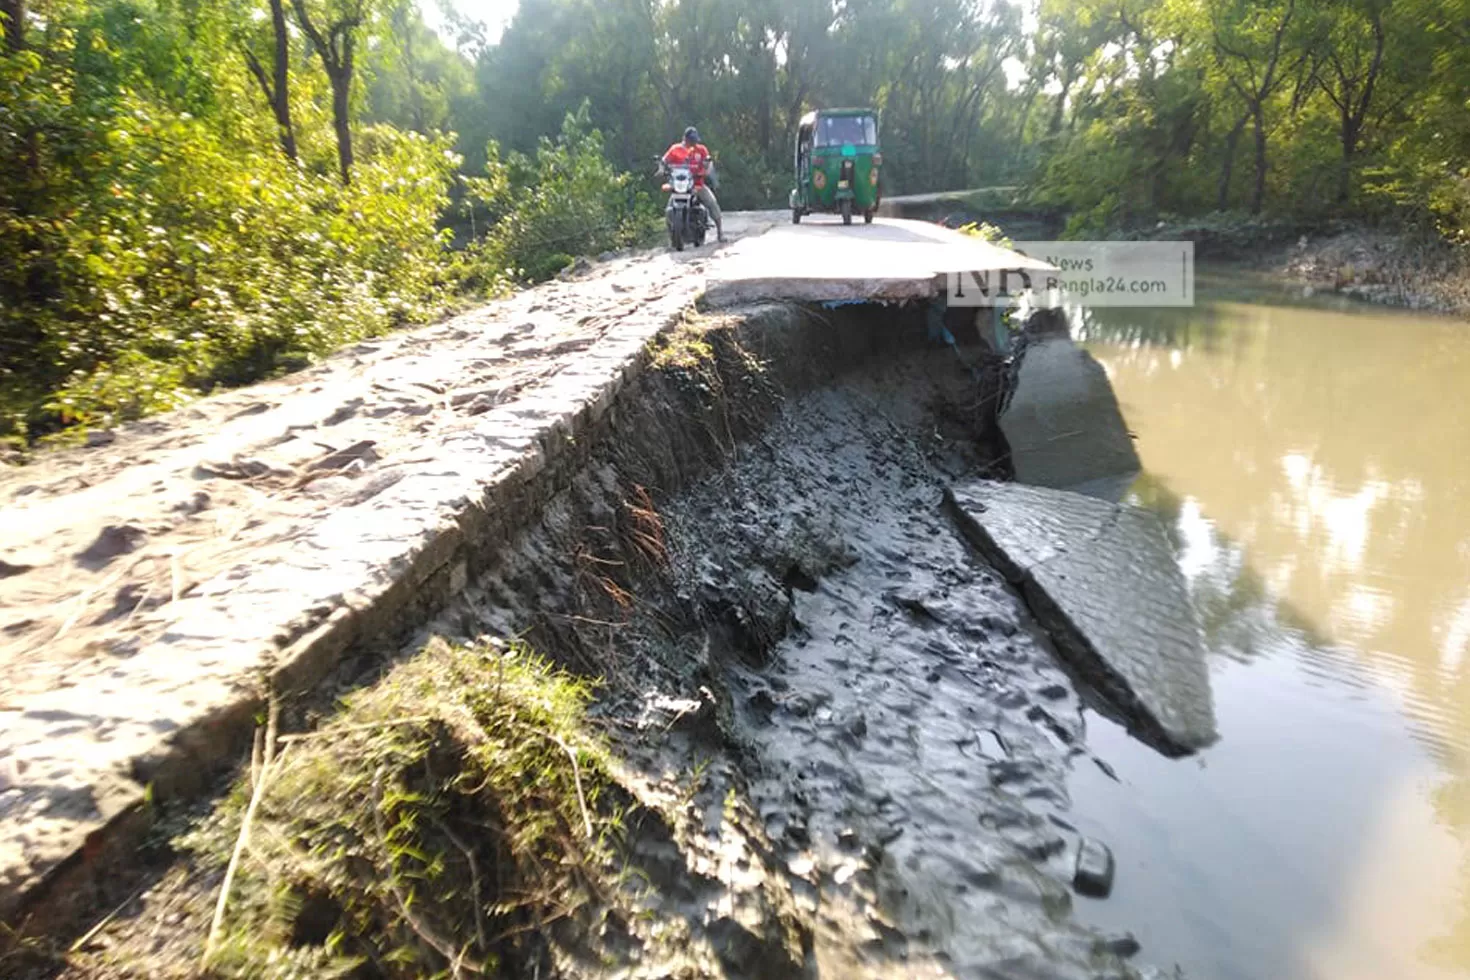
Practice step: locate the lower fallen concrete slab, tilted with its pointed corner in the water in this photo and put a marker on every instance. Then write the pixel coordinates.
(1102, 578)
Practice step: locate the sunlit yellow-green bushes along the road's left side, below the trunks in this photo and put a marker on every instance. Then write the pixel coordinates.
(152, 255)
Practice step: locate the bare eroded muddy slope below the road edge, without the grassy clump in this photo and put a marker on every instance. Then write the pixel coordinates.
(845, 743)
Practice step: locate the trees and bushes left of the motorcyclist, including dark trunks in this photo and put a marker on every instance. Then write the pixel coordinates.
(168, 227)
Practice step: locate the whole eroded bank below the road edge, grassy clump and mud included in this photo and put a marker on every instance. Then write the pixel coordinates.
(828, 740)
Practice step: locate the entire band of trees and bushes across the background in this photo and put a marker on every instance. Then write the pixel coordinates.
(209, 192)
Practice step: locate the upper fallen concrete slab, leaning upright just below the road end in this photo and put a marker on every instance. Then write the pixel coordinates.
(1064, 425)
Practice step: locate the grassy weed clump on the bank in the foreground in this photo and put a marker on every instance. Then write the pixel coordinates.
(446, 824)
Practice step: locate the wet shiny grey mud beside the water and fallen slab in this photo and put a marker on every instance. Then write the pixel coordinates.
(908, 727)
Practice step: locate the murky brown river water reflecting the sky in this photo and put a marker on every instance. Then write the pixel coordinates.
(1313, 462)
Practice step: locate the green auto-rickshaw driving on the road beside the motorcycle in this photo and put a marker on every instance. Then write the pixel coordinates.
(837, 165)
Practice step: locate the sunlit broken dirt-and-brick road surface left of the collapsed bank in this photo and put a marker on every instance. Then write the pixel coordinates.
(152, 578)
